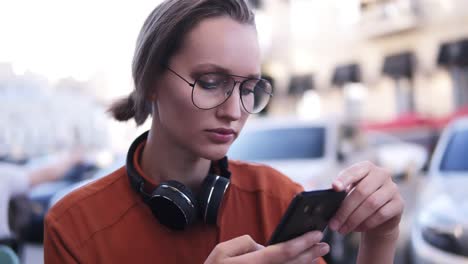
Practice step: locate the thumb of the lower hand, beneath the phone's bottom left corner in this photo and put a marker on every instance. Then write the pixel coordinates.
(238, 246)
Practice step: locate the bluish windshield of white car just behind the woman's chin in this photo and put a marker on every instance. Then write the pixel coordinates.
(280, 144)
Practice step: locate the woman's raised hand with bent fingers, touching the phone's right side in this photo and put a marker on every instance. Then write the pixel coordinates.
(373, 206)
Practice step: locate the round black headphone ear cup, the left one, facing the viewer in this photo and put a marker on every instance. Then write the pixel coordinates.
(173, 205)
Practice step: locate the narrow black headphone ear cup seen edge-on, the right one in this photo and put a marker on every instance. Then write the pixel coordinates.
(210, 197)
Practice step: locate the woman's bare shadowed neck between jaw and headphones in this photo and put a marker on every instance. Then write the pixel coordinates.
(161, 161)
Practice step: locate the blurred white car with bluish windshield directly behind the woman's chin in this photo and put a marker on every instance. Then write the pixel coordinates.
(305, 151)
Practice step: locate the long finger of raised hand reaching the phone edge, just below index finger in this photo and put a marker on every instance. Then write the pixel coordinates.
(358, 195)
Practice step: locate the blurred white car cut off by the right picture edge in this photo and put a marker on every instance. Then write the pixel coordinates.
(440, 229)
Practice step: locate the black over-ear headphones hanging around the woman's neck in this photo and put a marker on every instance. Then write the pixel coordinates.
(172, 203)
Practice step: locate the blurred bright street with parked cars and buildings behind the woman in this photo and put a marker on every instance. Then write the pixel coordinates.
(354, 80)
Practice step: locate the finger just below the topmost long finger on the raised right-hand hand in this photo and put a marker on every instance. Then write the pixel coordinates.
(370, 205)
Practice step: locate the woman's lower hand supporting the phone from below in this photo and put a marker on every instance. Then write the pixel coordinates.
(304, 249)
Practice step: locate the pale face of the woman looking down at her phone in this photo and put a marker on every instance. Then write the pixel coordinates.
(214, 45)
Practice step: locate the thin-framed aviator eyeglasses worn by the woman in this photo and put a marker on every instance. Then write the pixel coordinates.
(211, 90)
